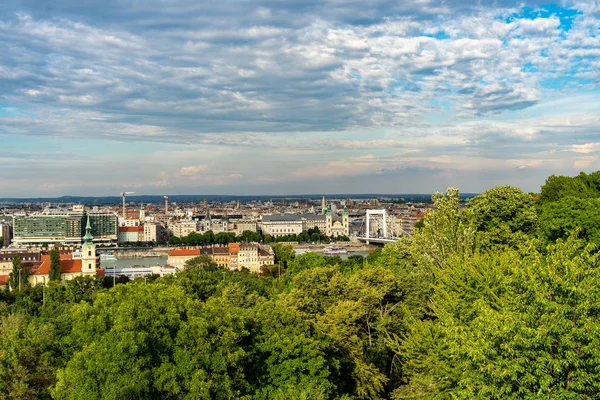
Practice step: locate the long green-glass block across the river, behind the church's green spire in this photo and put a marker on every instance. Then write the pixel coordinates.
(65, 228)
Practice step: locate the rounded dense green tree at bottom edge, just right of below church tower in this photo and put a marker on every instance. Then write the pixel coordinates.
(125, 343)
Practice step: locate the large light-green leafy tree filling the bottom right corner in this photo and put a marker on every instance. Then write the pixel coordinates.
(515, 324)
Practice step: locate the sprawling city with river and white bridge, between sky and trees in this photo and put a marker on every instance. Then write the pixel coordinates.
(158, 238)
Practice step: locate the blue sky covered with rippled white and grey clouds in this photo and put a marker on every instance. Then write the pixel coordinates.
(295, 97)
